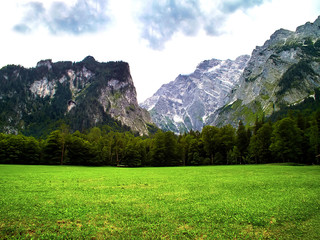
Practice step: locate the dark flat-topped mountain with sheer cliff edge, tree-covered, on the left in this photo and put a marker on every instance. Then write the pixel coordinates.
(83, 95)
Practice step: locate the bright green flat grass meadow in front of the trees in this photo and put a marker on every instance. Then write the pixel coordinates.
(214, 202)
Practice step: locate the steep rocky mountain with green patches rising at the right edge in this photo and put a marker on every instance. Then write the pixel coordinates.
(282, 73)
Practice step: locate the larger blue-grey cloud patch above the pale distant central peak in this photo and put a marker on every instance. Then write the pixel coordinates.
(161, 19)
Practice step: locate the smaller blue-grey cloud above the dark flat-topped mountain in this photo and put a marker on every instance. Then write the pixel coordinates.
(82, 17)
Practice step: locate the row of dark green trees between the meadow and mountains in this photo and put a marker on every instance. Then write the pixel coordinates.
(295, 138)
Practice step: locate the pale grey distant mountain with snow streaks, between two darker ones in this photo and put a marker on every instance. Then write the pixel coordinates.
(189, 101)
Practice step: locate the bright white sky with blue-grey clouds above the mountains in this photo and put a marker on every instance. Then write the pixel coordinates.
(160, 39)
